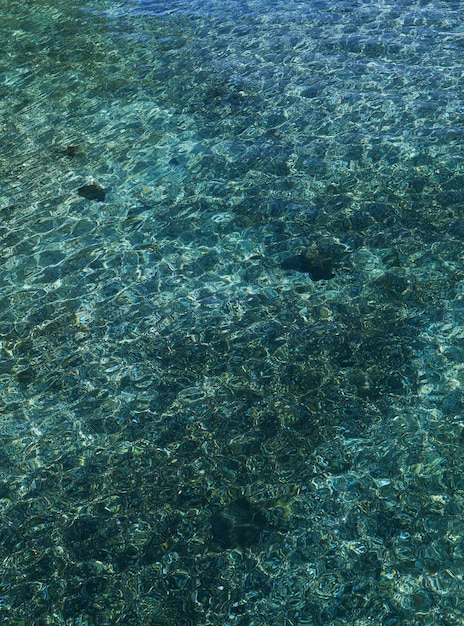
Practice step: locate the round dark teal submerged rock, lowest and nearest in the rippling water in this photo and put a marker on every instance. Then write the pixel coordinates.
(238, 524)
